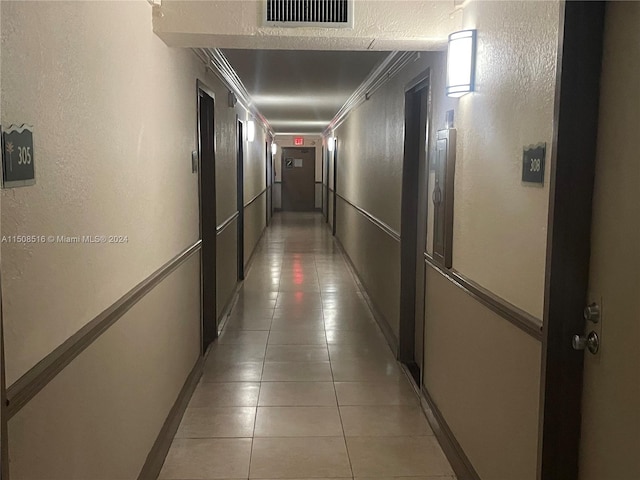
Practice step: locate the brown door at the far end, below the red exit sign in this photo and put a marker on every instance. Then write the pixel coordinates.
(298, 179)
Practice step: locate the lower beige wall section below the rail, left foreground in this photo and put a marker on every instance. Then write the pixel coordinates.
(99, 418)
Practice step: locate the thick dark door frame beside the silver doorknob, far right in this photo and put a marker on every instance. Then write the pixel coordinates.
(569, 235)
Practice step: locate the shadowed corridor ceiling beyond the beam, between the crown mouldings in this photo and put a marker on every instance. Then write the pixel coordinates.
(300, 91)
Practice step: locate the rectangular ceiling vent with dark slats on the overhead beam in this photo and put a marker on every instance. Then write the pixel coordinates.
(309, 13)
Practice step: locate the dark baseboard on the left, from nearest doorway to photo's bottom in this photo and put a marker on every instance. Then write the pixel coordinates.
(155, 459)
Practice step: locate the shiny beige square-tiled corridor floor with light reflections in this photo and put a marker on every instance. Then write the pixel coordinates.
(301, 383)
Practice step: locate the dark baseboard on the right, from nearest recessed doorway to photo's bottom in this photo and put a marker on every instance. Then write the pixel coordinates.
(460, 463)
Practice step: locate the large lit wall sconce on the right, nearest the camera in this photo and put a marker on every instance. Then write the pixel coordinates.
(461, 63)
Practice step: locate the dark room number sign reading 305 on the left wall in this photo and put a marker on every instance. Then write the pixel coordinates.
(18, 163)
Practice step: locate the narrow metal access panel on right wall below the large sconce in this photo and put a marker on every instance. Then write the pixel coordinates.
(442, 196)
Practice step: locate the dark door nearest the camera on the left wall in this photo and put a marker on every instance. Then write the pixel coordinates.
(207, 186)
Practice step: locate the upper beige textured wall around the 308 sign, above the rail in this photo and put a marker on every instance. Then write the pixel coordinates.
(500, 226)
